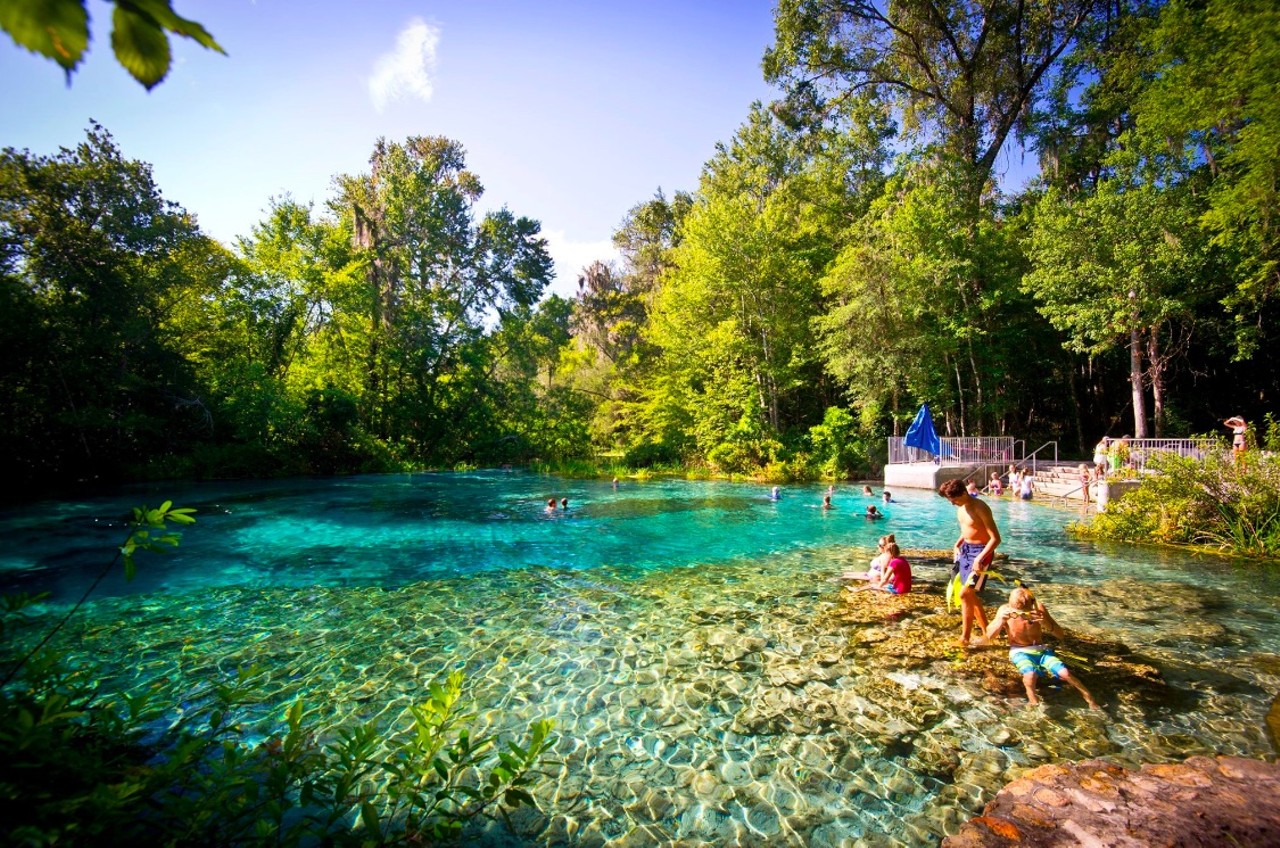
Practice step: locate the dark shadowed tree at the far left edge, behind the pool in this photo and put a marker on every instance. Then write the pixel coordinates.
(95, 265)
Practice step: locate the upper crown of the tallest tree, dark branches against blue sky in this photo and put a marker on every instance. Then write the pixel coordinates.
(962, 74)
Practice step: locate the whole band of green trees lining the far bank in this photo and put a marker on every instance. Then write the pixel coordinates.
(851, 253)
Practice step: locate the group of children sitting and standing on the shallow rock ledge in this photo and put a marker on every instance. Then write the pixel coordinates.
(1023, 618)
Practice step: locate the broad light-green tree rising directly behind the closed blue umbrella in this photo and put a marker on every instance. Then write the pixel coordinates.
(904, 325)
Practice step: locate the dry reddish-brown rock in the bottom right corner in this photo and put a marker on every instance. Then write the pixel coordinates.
(1223, 801)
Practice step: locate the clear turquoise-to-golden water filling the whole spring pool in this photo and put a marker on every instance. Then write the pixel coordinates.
(687, 637)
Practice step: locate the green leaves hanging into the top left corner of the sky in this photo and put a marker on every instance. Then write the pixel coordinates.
(60, 31)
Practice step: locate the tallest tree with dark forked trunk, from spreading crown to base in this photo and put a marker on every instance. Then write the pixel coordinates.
(962, 77)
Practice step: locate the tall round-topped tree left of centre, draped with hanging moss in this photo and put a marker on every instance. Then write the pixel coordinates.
(436, 277)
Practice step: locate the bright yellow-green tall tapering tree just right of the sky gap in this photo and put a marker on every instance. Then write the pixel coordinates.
(733, 316)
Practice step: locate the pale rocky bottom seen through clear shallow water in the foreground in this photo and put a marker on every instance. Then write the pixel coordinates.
(756, 703)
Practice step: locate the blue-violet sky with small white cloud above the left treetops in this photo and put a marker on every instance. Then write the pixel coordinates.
(572, 112)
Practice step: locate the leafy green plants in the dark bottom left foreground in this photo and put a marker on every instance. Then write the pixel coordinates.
(84, 765)
